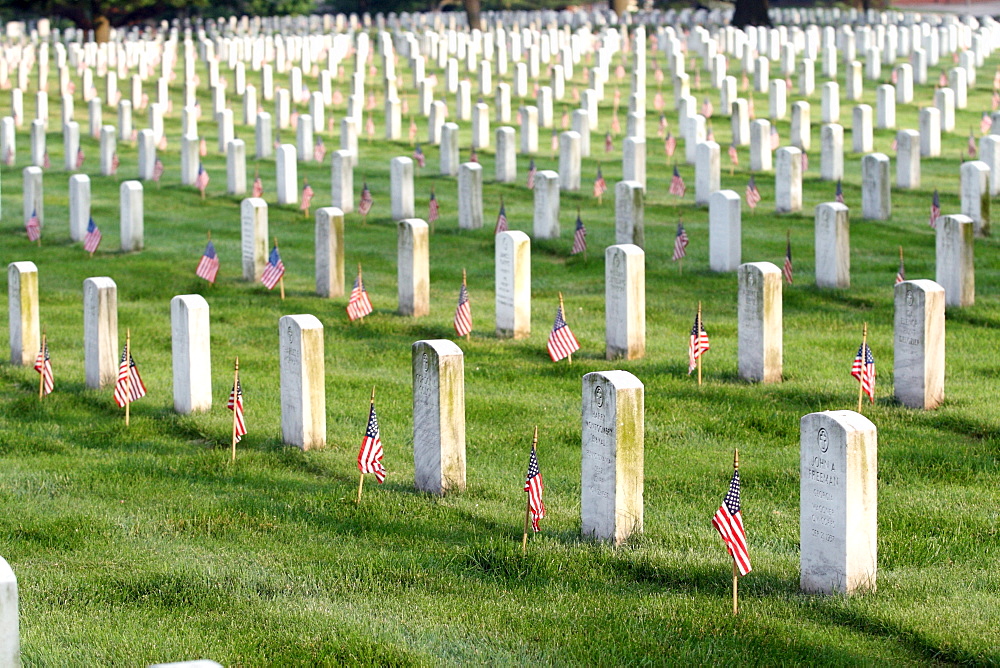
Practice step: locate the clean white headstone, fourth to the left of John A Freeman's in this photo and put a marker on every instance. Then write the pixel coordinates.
(191, 354)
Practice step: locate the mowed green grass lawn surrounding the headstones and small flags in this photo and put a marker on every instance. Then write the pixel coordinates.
(144, 544)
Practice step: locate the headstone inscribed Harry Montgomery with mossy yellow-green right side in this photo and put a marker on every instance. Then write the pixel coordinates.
(611, 504)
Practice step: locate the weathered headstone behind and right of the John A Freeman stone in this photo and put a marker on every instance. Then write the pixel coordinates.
(918, 344)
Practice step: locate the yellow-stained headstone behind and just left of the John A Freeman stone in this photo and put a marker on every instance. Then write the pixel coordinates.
(760, 328)
